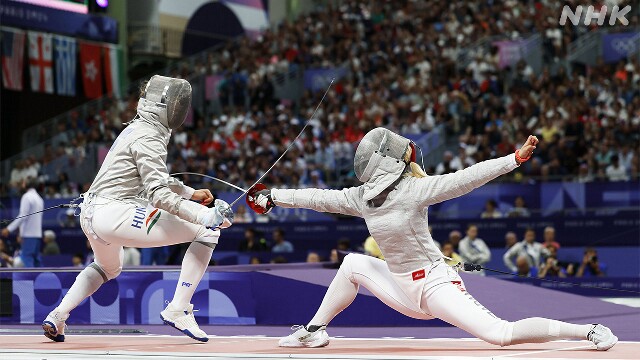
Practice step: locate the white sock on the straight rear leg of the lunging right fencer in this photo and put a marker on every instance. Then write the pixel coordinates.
(539, 330)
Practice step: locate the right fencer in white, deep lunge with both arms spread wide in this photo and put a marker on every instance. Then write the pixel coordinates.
(414, 280)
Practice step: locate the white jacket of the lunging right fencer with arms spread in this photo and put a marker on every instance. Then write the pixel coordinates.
(399, 225)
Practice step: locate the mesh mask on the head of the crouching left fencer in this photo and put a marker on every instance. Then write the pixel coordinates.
(166, 100)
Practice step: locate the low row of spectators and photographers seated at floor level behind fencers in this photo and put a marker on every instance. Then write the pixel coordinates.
(527, 257)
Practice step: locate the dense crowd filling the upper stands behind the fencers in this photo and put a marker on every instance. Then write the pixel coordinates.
(404, 73)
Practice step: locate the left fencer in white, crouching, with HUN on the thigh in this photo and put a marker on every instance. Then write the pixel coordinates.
(134, 202)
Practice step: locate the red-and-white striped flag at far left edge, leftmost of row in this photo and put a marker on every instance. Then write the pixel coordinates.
(12, 58)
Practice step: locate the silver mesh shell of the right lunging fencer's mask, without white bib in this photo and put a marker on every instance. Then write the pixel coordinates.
(379, 141)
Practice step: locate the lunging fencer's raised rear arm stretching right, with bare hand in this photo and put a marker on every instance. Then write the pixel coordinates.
(434, 189)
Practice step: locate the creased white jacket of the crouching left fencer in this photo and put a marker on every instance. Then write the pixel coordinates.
(136, 168)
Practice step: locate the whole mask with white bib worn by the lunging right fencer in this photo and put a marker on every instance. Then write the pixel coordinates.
(379, 160)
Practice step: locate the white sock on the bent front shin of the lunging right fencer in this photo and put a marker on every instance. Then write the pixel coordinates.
(340, 294)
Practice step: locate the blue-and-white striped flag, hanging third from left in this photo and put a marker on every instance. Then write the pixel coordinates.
(64, 49)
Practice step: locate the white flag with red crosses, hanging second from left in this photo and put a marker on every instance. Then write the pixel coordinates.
(40, 63)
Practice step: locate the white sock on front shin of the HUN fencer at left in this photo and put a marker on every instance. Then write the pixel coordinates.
(195, 262)
